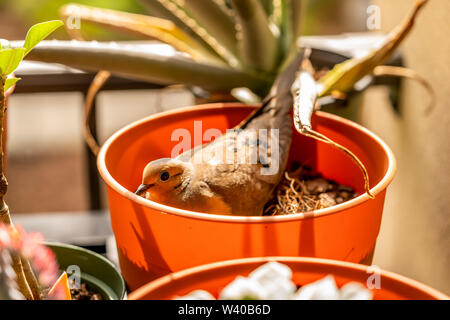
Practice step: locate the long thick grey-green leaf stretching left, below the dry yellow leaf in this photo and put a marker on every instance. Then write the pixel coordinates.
(145, 64)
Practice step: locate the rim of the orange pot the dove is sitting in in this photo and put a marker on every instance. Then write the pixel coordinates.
(101, 164)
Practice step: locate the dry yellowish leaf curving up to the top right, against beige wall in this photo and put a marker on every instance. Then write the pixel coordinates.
(344, 76)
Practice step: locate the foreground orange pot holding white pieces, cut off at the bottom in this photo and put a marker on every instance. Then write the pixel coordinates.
(214, 277)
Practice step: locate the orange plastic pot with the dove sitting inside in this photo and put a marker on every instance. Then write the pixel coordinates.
(154, 239)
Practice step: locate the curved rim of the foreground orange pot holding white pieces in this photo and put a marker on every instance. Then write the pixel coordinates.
(155, 284)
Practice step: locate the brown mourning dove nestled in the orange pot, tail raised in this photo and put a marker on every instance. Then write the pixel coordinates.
(236, 173)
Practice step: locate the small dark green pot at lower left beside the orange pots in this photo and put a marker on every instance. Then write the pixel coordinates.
(96, 271)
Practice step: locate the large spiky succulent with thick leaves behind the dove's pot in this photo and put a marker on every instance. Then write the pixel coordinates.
(228, 44)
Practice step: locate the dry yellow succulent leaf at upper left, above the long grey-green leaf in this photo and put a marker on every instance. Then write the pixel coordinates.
(155, 28)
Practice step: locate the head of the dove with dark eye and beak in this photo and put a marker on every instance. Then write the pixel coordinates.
(162, 179)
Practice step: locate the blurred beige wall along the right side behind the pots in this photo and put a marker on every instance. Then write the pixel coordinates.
(415, 233)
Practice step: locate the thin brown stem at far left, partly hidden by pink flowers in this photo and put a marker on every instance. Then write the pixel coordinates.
(25, 275)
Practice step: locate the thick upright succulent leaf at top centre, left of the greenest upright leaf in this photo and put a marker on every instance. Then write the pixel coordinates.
(259, 45)
